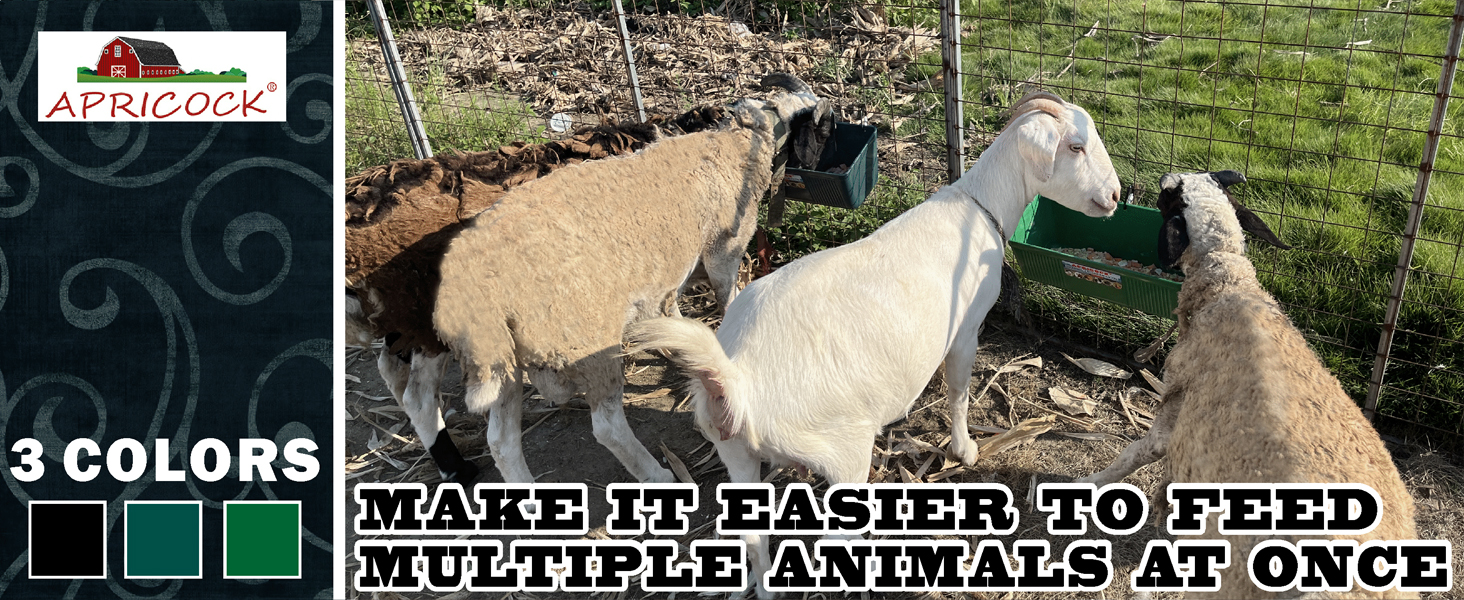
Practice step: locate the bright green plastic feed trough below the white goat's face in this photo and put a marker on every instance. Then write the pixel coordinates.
(1132, 233)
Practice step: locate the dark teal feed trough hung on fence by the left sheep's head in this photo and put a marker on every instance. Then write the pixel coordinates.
(851, 146)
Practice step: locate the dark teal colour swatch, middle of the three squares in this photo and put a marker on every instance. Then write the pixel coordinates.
(163, 541)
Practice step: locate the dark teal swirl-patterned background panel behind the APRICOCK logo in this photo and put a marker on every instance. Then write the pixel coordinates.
(166, 280)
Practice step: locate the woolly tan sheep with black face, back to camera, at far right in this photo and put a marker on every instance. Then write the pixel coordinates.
(1248, 402)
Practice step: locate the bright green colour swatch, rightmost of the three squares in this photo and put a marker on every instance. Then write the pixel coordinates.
(261, 539)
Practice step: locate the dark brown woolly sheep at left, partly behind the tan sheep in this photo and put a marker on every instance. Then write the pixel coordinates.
(399, 222)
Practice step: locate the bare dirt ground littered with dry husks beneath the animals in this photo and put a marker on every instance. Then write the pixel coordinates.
(560, 447)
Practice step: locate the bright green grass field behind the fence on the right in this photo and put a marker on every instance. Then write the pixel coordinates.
(1323, 108)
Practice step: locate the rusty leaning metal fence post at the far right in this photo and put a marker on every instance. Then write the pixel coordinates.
(1421, 194)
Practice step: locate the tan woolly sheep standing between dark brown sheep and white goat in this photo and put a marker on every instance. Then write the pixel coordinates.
(547, 280)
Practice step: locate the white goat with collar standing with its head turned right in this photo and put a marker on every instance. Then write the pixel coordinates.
(816, 359)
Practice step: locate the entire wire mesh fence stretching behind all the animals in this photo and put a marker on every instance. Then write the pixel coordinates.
(1326, 106)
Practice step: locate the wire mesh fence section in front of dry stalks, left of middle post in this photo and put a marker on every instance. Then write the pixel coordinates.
(528, 71)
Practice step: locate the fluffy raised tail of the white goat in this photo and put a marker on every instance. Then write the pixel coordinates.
(715, 380)
